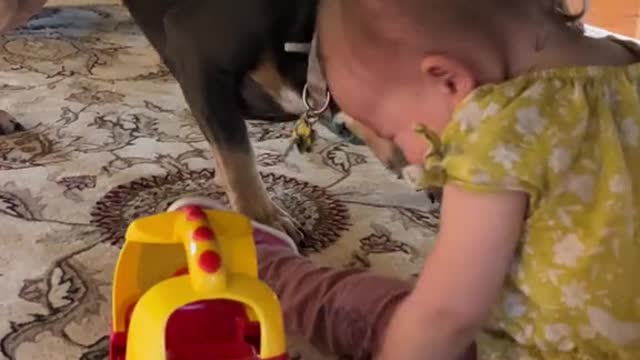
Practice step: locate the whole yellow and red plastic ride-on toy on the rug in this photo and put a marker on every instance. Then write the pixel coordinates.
(186, 287)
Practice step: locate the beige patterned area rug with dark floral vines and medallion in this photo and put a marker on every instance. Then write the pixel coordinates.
(109, 139)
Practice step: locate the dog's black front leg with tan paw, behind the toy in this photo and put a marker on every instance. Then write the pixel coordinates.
(213, 47)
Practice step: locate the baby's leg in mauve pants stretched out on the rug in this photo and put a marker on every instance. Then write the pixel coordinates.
(341, 311)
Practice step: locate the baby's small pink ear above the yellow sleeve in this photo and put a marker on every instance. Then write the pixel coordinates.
(451, 76)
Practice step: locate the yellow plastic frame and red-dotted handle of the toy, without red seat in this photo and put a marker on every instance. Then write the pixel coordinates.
(221, 258)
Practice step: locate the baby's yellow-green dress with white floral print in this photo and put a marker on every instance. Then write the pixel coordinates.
(570, 138)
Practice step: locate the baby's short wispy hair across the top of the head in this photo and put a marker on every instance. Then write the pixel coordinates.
(393, 25)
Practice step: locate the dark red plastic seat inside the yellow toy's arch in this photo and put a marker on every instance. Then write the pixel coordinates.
(212, 329)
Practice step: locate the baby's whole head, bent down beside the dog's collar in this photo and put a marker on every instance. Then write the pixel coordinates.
(394, 64)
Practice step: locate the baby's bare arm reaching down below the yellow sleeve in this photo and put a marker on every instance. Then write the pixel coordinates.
(461, 279)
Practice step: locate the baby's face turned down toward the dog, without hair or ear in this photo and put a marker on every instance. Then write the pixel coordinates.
(390, 98)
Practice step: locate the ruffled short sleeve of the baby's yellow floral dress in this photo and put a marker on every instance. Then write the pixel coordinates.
(497, 141)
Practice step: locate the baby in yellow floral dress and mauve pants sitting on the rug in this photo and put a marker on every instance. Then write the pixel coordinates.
(533, 131)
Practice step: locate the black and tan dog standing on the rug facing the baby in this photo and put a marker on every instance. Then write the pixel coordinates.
(231, 62)
